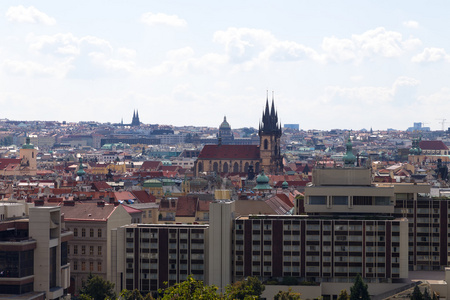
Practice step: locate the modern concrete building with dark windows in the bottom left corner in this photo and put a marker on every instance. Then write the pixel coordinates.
(33, 256)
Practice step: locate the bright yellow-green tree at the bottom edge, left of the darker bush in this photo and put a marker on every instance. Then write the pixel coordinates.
(190, 289)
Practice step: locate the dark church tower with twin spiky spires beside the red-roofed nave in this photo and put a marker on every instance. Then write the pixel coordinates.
(269, 136)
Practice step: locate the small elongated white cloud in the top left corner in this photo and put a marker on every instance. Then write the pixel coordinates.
(22, 14)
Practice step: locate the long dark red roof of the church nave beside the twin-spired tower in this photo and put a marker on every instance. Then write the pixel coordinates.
(230, 152)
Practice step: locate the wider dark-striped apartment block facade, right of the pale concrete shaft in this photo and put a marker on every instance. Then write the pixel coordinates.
(318, 249)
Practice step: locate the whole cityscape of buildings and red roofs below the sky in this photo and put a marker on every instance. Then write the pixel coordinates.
(141, 205)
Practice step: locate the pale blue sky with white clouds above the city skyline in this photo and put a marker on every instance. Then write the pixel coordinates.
(328, 64)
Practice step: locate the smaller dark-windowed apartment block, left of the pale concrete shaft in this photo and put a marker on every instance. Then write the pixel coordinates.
(148, 255)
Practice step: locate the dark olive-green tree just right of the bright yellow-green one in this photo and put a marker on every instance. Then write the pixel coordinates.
(250, 288)
